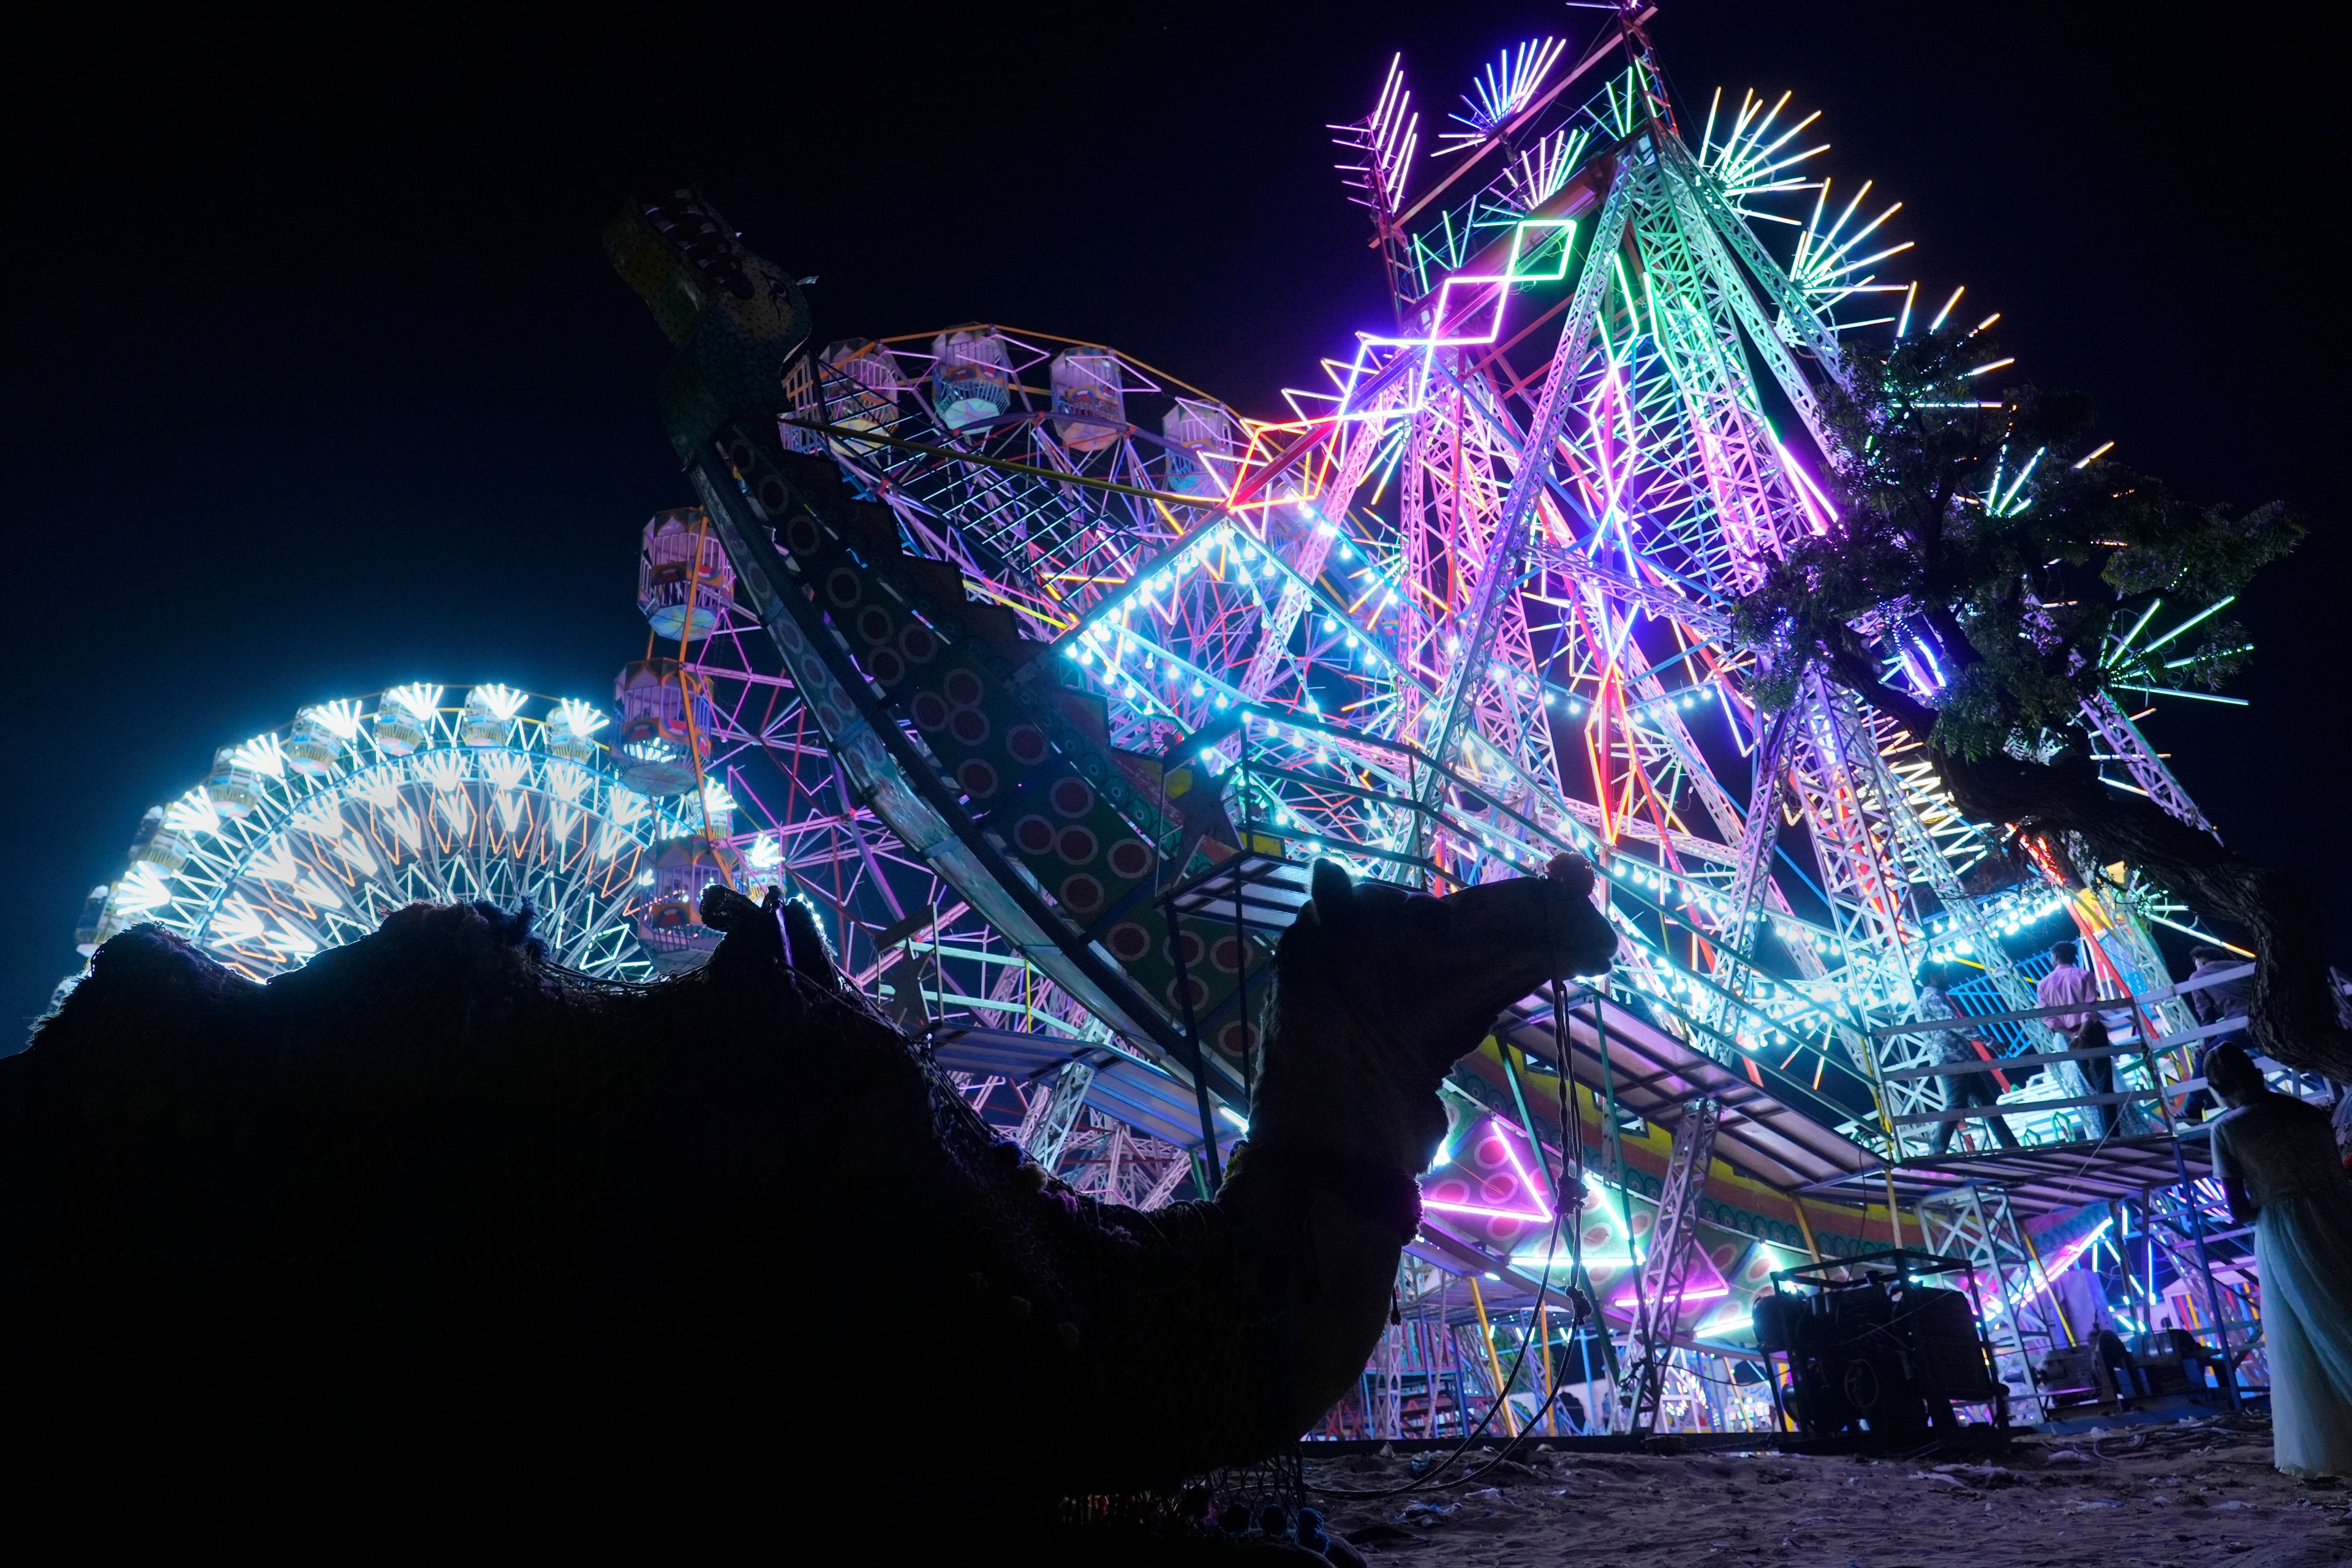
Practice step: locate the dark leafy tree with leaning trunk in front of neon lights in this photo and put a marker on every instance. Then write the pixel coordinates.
(2029, 577)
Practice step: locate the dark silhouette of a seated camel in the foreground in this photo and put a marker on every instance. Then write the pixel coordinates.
(436, 1184)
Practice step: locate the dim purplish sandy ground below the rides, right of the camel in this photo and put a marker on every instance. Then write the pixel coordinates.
(2191, 1496)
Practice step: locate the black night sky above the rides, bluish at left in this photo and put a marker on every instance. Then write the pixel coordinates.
(319, 382)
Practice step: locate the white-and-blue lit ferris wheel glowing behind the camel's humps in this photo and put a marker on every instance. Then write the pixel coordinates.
(309, 836)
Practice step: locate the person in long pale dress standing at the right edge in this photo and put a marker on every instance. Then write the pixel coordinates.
(2278, 1167)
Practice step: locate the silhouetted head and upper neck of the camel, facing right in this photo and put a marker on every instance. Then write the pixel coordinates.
(1382, 991)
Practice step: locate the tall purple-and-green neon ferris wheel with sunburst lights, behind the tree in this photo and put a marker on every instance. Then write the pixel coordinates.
(1610, 568)
